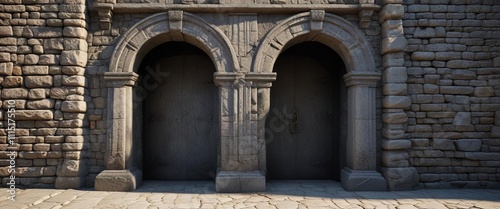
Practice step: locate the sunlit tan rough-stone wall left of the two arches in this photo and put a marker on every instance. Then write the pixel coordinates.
(43, 52)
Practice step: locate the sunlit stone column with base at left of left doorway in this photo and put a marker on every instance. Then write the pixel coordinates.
(117, 176)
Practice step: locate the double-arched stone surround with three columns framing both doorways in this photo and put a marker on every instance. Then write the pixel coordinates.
(243, 97)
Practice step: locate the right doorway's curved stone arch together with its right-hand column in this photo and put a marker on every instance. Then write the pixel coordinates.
(361, 82)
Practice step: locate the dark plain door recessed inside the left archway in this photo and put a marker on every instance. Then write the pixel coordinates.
(179, 114)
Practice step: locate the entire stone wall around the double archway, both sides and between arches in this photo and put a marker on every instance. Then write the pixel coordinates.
(438, 105)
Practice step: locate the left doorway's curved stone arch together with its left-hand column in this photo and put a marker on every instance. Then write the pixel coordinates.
(120, 172)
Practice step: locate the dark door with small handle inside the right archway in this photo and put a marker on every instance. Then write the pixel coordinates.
(303, 119)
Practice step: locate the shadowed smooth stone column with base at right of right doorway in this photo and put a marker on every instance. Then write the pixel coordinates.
(360, 173)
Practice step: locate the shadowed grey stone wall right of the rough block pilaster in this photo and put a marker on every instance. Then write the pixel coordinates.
(453, 60)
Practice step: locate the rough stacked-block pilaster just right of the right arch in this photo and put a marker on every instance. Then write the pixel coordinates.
(395, 156)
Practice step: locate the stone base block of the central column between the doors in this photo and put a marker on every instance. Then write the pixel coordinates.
(229, 181)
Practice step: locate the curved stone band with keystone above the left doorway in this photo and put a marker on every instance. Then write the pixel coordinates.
(173, 26)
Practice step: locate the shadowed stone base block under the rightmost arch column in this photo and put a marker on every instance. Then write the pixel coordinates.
(362, 180)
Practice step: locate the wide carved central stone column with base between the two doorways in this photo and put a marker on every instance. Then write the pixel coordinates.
(239, 155)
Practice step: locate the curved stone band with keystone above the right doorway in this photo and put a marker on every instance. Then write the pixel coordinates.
(337, 33)
